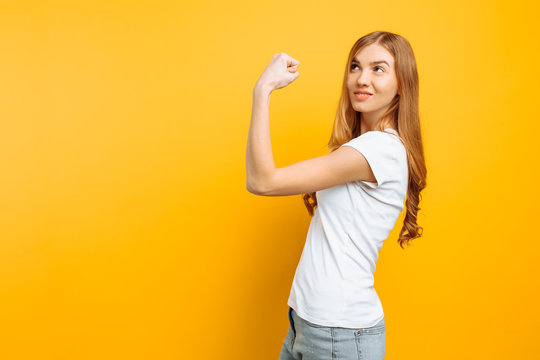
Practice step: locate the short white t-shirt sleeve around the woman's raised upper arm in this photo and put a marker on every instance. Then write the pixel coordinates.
(379, 149)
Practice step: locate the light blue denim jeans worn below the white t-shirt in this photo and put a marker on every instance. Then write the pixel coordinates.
(308, 341)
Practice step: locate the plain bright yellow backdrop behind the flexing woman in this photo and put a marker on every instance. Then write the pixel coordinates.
(127, 232)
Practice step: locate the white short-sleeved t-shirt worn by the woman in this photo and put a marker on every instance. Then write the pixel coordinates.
(333, 283)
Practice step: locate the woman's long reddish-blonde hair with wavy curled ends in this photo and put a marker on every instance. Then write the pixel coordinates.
(403, 112)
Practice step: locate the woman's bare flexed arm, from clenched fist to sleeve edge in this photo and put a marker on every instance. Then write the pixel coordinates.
(263, 178)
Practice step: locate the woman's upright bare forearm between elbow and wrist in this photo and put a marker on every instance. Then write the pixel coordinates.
(260, 164)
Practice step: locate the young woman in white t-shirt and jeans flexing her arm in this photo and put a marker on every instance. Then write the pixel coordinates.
(374, 168)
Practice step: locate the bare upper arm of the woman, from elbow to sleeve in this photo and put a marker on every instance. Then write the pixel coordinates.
(343, 165)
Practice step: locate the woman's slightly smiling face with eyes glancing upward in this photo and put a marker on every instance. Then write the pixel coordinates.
(378, 79)
